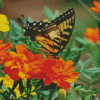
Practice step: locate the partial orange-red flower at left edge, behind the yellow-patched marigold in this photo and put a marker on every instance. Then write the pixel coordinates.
(3, 48)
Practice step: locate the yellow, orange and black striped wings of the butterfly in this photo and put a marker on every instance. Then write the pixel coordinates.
(59, 32)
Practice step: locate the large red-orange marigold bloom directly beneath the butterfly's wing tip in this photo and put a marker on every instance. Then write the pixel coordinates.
(59, 72)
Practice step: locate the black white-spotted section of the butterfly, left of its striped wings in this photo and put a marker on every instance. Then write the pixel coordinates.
(35, 28)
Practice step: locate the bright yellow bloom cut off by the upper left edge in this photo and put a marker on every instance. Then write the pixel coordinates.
(4, 23)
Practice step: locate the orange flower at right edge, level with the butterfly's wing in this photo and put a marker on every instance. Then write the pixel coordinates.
(92, 35)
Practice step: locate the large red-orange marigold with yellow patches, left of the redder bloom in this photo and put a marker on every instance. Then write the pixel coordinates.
(21, 63)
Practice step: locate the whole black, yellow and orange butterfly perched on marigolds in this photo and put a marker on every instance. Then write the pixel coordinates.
(53, 36)
